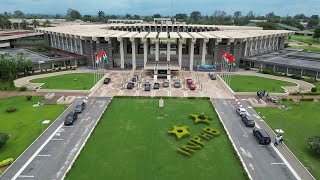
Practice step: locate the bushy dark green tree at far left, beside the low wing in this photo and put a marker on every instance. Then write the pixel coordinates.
(12, 66)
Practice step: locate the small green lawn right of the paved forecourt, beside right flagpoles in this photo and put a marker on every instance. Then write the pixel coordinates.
(253, 84)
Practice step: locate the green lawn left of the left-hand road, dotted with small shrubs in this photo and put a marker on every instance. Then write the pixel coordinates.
(23, 126)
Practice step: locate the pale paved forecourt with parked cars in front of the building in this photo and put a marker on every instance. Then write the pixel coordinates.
(205, 87)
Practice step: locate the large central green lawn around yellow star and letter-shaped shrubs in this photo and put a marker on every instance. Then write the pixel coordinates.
(130, 142)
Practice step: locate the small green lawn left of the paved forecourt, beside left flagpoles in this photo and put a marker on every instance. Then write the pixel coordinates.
(67, 81)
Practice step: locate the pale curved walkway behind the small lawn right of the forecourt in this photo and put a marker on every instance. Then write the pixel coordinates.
(303, 85)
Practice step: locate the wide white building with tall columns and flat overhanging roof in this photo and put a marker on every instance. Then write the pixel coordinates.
(163, 46)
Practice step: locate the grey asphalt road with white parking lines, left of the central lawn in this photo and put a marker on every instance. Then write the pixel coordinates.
(52, 158)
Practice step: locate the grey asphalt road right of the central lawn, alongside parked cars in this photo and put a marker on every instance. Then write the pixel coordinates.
(262, 162)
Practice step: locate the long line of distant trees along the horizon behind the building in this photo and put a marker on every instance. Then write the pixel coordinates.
(238, 18)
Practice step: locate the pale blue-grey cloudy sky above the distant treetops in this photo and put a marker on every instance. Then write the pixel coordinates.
(163, 7)
